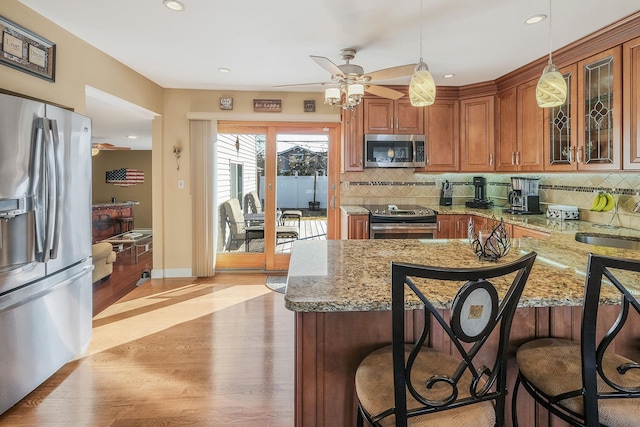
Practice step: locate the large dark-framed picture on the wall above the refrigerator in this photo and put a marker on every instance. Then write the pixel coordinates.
(26, 51)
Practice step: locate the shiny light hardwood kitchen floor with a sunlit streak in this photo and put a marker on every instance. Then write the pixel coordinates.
(205, 352)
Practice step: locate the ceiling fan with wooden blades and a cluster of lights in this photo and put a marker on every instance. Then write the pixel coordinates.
(352, 80)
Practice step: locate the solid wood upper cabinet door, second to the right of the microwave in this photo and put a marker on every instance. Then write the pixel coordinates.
(477, 134)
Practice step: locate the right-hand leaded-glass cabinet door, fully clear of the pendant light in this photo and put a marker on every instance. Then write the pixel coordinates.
(599, 111)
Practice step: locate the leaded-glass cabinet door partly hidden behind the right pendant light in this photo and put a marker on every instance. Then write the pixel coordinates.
(561, 140)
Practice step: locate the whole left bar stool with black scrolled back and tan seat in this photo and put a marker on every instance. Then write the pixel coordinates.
(409, 383)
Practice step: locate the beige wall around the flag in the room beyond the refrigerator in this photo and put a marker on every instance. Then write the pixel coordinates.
(103, 192)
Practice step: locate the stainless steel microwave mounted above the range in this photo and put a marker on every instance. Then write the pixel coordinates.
(394, 151)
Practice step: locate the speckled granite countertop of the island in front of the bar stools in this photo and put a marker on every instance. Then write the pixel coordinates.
(354, 275)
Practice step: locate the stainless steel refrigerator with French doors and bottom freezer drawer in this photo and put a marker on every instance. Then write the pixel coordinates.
(45, 242)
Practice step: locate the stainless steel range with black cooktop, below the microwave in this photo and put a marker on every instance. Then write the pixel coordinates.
(401, 222)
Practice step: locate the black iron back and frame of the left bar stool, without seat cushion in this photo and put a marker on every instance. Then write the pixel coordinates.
(475, 373)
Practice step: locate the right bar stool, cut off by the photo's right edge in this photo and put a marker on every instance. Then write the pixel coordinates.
(586, 383)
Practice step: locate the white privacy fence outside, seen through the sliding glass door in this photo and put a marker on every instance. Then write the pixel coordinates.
(297, 191)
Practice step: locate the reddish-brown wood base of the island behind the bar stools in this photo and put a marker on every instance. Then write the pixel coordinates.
(330, 345)
